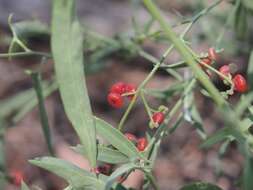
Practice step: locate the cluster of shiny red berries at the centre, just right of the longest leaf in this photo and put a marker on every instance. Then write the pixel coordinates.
(118, 91)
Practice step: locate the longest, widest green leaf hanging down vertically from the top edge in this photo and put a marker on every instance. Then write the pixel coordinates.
(67, 48)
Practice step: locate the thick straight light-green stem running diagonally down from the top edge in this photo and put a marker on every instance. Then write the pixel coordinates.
(200, 75)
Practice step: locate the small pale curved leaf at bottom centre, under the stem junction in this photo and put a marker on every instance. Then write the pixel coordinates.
(118, 172)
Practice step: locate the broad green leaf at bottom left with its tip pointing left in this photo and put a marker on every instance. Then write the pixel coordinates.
(75, 176)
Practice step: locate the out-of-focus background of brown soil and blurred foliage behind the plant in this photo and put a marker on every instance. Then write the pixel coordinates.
(180, 159)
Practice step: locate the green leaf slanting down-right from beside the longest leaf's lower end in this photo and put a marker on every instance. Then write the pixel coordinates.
(116, 138)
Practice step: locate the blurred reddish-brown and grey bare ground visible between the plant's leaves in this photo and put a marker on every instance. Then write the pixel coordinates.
(180, 159)
